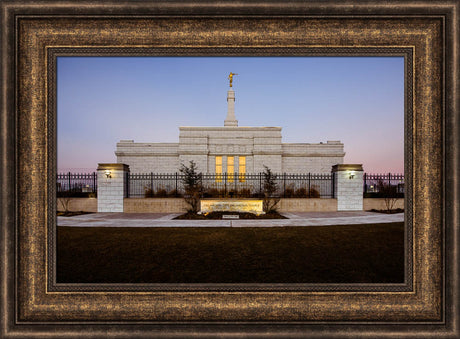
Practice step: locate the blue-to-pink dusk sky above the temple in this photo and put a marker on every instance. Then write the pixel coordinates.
(359, 101)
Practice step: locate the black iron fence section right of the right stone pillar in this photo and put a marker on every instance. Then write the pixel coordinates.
(375, 185)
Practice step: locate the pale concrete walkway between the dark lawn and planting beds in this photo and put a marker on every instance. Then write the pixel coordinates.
(165, 220)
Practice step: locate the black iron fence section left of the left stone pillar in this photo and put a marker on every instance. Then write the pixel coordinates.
(76, 184)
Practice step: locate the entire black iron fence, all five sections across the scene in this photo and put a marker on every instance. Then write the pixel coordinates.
(229, 185)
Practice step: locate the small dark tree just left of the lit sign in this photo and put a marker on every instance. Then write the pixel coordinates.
(193, 186)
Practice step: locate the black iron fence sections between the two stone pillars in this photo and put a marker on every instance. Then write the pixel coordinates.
(232, 185)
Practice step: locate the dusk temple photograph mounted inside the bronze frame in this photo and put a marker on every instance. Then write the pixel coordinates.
(306, 98)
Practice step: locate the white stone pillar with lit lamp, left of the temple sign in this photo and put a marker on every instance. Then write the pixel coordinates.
(111, 187)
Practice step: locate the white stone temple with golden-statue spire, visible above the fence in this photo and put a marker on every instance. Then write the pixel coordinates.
(232, 149)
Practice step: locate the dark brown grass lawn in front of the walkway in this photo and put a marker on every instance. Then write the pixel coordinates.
(322, 254)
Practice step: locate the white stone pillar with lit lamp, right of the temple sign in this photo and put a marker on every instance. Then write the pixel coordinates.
(348, 186)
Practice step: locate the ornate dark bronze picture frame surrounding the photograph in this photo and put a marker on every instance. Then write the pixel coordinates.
(35, 303)
